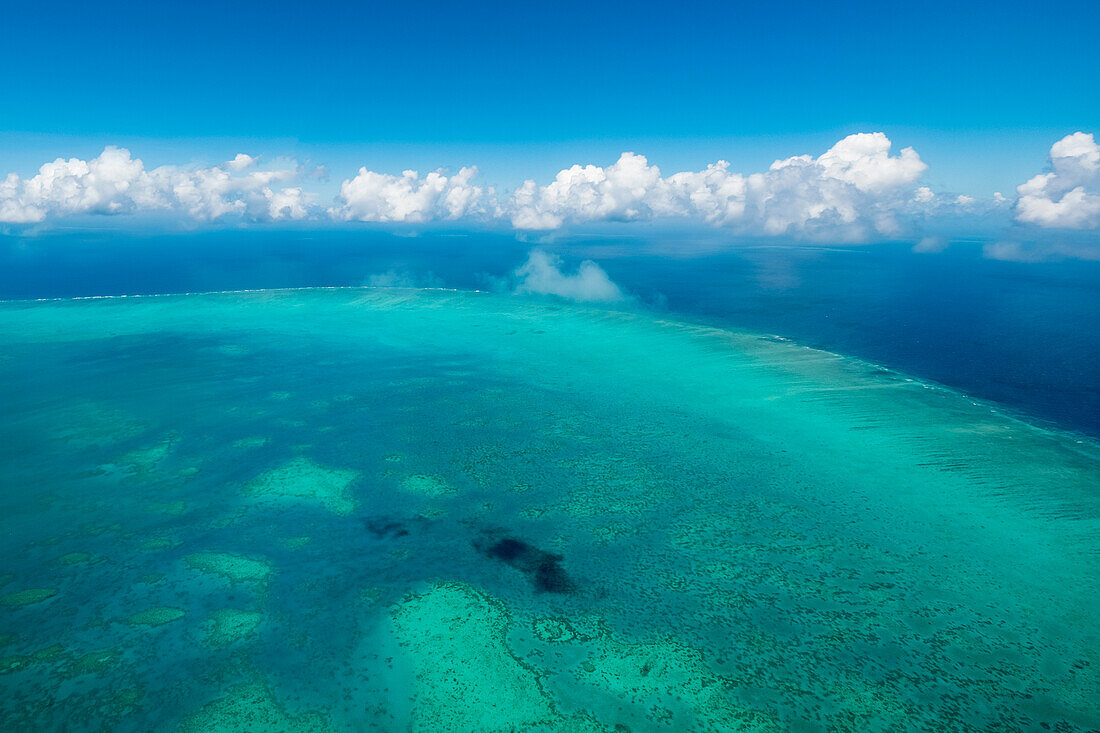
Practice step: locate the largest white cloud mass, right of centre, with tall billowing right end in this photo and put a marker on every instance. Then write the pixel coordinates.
(853, 191)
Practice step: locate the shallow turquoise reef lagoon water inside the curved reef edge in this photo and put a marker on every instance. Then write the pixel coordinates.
(353, 509)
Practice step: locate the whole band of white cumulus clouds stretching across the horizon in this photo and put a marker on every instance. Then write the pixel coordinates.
(859, 190)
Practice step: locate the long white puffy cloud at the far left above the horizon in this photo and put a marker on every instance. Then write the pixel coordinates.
(115, 183)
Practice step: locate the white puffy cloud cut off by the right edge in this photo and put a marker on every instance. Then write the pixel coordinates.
(1069, 196)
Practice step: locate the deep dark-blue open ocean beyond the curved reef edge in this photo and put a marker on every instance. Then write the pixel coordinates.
(1022, 335)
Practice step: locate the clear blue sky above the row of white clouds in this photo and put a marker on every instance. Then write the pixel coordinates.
(523, 91)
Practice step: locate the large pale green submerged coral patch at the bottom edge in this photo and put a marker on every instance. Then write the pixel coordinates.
(468, 677)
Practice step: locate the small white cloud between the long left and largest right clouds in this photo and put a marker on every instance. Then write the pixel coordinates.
(373, 196)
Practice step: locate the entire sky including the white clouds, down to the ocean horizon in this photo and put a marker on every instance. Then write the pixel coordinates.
(335, 102)
